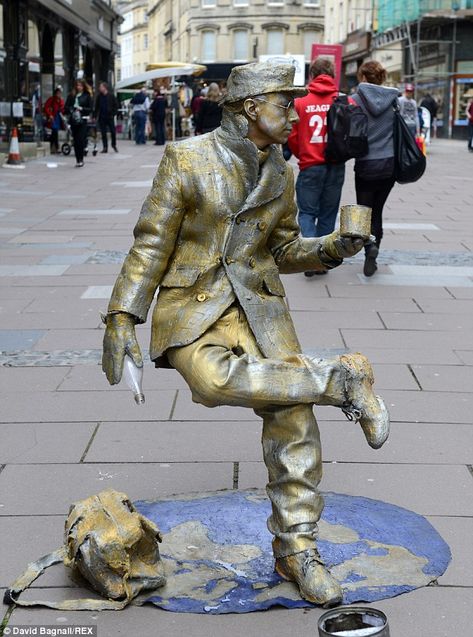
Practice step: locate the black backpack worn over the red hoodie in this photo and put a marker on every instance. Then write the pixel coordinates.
(347, 132)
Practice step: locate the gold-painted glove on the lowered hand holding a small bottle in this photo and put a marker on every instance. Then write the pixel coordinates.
(119, 339)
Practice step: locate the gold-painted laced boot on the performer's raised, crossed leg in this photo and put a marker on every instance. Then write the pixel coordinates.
(361, 403)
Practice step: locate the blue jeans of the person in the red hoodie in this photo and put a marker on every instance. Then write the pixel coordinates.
(318, 190)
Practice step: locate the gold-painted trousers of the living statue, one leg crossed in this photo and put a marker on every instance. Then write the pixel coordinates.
(225, 367)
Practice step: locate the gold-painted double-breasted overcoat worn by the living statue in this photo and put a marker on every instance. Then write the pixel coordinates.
(217, 228)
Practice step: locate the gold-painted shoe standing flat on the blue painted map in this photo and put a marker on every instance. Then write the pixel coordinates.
(315, 583)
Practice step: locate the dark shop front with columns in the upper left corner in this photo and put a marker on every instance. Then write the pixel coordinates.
(46, 45)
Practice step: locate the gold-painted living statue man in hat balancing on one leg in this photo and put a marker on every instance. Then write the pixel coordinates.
(215, 232)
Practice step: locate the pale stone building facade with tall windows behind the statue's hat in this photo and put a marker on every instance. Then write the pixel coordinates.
(223, 33)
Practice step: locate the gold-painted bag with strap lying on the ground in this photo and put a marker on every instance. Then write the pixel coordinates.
(111, 545)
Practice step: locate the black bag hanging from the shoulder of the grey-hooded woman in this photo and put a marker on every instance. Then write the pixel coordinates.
(409, 160)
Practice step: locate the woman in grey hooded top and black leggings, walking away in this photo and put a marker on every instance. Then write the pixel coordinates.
(374, 173)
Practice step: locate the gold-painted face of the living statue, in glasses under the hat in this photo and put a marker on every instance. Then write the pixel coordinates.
(275, 116)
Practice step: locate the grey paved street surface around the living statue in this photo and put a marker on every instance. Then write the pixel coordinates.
(66, 434)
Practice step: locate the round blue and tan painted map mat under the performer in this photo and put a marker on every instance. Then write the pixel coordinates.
(218, 558)
